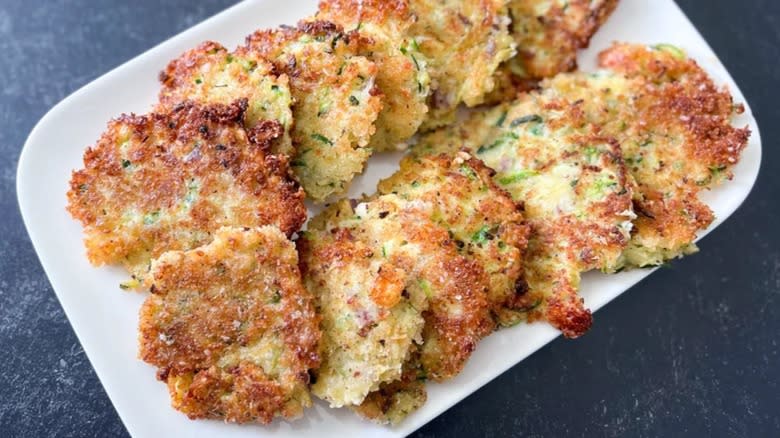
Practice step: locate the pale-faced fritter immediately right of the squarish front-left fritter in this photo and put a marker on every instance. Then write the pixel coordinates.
(369, 324)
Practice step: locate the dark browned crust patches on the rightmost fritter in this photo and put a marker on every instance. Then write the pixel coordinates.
(679, 96)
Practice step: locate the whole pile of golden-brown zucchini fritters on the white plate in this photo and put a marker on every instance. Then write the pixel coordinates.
(490, 221)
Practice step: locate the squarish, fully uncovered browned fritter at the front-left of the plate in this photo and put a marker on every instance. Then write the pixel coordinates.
(231, 328)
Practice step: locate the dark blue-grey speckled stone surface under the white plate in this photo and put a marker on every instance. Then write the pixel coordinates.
(691, 351)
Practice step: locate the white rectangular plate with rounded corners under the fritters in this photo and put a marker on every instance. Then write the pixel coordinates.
(105, 318)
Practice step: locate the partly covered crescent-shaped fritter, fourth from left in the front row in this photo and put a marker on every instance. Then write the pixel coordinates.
(485, 223)
